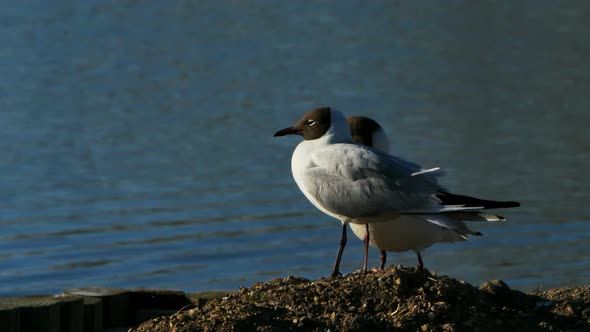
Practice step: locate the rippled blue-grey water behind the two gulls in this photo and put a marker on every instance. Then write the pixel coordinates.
(137, 151)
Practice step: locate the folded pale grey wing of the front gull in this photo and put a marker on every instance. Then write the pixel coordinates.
(358, 182)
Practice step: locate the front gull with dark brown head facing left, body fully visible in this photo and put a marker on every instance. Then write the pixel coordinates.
(361, 185)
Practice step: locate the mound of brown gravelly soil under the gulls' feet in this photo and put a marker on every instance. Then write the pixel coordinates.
(396, 299)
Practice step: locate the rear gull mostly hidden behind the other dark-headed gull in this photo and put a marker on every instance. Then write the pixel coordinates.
(417, 231)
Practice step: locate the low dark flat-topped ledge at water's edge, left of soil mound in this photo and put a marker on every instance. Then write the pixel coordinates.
(95, 309)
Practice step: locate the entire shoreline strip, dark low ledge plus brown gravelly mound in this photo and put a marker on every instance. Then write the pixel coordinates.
(398, 298)
